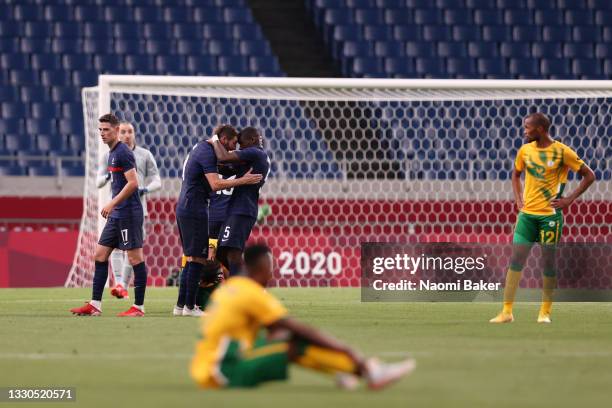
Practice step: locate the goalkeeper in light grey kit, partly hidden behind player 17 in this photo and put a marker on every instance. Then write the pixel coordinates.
(147, 171)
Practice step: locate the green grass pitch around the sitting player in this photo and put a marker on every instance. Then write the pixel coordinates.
(463, 361)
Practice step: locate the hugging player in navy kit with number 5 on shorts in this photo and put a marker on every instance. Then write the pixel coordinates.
(242, 207)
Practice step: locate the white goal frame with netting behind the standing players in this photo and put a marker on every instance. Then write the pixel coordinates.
(354, 161)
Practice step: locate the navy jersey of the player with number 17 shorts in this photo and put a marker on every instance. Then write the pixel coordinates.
(121, 159)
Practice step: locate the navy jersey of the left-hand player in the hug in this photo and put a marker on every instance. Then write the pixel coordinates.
(195, 190)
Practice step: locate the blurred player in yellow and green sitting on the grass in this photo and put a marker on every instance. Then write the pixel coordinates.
(248, 338)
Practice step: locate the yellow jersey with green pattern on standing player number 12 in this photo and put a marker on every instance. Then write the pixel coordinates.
(546, 171)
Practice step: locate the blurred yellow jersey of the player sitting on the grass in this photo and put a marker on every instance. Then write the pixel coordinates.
(239, 309)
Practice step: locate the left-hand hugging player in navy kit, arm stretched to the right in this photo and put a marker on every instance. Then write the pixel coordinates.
(200, 178)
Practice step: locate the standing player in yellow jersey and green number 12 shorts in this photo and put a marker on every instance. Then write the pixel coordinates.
(540, 219)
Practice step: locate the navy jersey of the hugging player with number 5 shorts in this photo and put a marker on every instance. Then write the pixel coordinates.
(244, 200)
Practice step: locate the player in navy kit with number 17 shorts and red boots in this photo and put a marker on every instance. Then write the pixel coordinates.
(123, 229)
